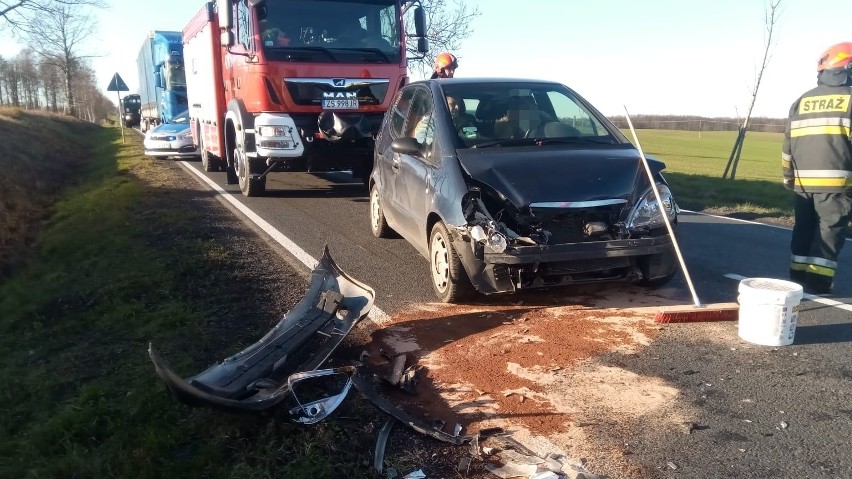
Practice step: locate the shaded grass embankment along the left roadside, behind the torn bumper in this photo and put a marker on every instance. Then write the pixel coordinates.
(118, 264)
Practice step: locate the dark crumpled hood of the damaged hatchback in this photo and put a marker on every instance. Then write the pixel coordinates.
(527, 175)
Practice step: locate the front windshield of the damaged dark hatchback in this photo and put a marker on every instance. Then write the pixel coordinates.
(524, 113)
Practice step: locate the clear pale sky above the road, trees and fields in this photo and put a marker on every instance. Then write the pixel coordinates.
(681, 57)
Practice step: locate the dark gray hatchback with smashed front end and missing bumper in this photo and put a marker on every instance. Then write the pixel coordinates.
(507, 184)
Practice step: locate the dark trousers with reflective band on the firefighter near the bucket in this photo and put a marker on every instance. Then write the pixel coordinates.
(818, 236)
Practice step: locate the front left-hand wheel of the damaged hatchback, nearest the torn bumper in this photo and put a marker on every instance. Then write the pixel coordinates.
(449, 279)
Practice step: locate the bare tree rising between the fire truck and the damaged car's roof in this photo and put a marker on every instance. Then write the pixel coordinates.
(447, 24)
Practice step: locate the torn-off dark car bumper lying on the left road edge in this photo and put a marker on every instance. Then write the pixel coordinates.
(263, 375)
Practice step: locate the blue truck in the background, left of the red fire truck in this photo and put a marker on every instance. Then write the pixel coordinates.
(162, 78)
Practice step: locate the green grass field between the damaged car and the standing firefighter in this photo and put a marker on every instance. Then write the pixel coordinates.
(695, 163)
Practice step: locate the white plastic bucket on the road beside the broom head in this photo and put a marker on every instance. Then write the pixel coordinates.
(769, 310)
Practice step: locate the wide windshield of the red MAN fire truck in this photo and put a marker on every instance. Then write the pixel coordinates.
(332, 30)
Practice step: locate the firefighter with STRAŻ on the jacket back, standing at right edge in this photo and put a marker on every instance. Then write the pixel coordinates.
(817, 165)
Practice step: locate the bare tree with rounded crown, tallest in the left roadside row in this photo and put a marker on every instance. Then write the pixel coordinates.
(54, 36)
